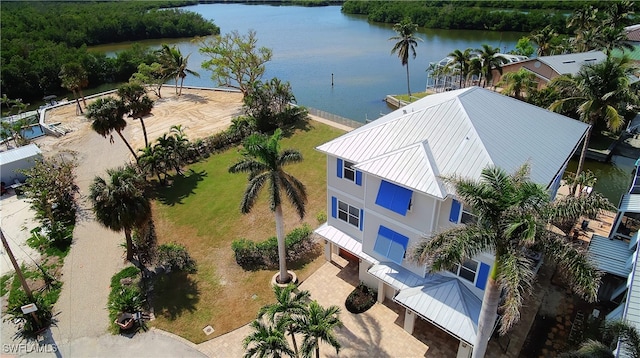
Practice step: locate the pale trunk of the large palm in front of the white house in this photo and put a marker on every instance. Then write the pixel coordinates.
(486, 321)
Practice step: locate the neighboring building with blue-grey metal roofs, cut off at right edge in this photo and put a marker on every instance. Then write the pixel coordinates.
(617, 256)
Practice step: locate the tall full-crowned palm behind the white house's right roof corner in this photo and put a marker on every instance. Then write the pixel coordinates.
(597, 93)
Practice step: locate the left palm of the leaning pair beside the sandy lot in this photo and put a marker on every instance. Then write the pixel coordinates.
(107, 116)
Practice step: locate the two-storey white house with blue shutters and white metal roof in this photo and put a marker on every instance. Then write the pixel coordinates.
(385, 193)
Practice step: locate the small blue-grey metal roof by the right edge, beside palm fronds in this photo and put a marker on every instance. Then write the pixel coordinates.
(610, 255)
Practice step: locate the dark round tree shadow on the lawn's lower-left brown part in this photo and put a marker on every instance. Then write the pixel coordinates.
(174, 293)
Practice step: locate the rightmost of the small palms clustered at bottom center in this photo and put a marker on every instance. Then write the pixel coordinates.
(319, 325)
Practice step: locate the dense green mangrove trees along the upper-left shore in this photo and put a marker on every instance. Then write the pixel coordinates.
(39, 37)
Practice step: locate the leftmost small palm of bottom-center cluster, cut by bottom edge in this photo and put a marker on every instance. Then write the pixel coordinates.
(266, 341)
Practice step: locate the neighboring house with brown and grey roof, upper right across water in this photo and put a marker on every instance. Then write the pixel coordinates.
(547, 68)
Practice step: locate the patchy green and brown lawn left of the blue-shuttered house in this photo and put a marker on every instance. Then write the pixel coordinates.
(205, 217)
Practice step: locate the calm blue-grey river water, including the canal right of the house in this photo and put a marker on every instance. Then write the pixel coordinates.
(309, 44)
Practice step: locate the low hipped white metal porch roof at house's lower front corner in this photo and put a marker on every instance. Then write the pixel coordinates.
(447, 303)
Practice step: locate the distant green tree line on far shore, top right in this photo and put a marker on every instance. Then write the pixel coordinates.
(517, 16)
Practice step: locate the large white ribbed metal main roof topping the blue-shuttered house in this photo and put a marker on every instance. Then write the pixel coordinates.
(460, 132)
